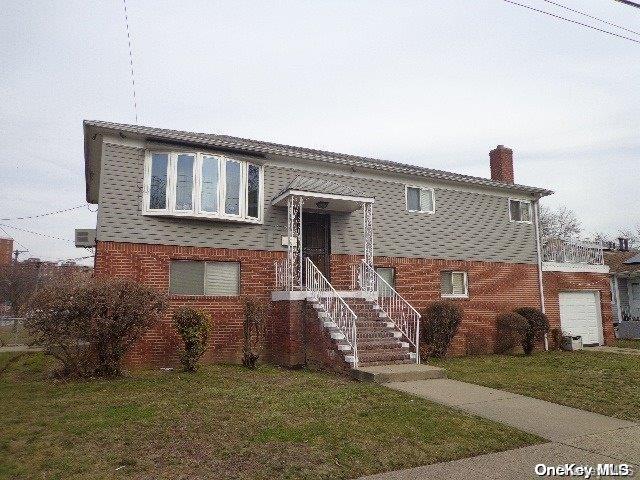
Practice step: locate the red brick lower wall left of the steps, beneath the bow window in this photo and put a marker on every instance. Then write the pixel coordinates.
(149, 264)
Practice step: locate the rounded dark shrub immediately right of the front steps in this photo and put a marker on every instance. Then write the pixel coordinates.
(438, 325)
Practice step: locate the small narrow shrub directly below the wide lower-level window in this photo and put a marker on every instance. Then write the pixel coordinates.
(193, 327)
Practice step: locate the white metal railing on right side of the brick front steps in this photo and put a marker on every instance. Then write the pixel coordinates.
(398, 310)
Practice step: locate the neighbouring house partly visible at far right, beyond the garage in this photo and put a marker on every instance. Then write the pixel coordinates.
(624, 266)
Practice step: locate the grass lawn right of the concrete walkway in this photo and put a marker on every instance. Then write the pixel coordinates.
(604, 383)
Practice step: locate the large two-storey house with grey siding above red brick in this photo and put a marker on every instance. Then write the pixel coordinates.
(346, 249)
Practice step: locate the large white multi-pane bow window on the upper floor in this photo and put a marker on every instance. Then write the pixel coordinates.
(194, 184)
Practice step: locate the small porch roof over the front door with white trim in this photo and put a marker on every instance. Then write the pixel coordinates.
(339, 197)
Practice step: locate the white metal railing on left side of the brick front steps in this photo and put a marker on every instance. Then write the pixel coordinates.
(333, 304)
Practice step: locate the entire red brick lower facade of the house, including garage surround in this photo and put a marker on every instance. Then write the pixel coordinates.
(293, 335)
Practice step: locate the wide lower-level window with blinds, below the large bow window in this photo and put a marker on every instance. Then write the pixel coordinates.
(204, 278)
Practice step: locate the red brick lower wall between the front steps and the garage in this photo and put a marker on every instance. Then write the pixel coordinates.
(493, 287)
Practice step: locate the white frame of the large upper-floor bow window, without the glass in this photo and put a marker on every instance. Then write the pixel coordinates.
(196, 194)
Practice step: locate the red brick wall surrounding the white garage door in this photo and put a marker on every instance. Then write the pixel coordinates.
(555, 282)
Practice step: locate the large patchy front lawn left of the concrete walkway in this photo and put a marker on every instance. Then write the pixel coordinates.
(225, 422)
